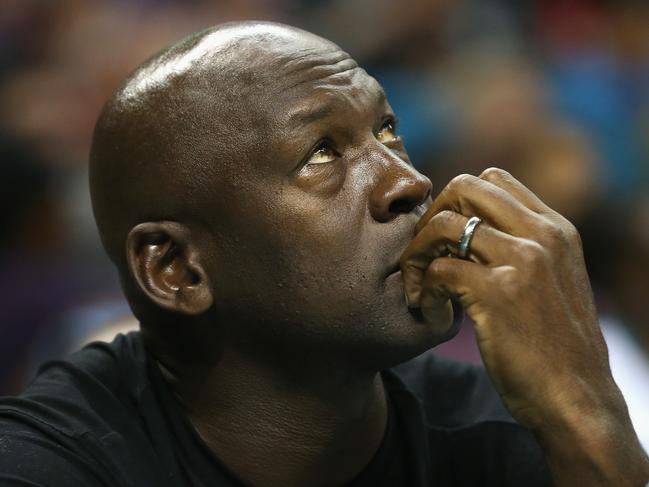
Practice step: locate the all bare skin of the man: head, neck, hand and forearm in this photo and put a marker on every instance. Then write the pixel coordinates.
(265, 206)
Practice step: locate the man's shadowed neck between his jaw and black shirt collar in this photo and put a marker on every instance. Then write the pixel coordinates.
(311, 423)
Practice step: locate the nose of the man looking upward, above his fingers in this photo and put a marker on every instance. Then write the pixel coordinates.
(400, 189)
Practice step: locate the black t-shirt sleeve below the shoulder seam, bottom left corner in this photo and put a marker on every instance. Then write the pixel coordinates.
(30, 458)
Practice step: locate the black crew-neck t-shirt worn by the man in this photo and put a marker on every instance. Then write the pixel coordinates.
(106, 417)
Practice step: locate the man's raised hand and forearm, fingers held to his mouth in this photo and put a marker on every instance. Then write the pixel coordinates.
(527, 290)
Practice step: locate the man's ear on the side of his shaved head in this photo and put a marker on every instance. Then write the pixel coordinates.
(166, 266)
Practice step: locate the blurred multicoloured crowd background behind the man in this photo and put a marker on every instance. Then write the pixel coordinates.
(554, 91)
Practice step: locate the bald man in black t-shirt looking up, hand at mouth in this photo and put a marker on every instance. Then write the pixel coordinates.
(282, 254)
